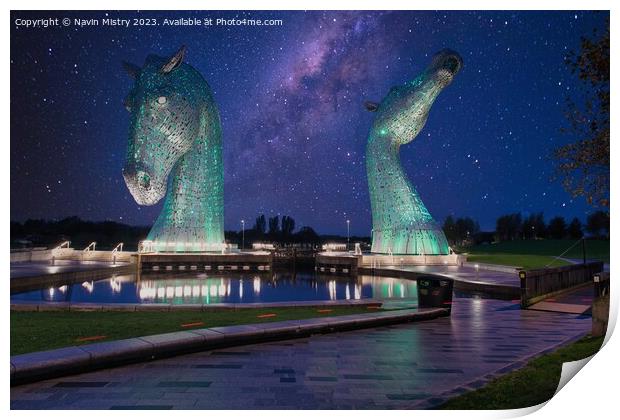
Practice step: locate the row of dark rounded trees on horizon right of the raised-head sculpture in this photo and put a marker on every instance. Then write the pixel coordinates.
(514, 226)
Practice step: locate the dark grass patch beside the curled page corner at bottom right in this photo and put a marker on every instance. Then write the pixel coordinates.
(531, 385)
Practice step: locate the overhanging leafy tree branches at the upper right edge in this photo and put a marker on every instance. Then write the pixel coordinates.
(583, 166)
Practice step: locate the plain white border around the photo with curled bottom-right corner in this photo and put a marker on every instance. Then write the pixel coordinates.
(590, 395)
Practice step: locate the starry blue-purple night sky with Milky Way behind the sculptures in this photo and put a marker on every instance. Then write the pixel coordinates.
(291, 103)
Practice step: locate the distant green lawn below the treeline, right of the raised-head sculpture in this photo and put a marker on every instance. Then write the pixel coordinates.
(536, 253)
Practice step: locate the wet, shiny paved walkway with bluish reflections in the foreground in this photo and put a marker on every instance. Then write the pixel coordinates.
(404, 366)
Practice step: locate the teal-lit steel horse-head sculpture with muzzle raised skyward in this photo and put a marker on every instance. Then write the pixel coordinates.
(401, 222)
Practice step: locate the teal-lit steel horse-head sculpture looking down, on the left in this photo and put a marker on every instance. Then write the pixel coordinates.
(175, 149)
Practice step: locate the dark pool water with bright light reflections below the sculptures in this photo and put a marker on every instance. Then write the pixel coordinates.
(208, 289)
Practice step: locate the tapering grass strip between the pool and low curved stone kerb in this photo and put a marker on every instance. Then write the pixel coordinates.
(36, 331)
